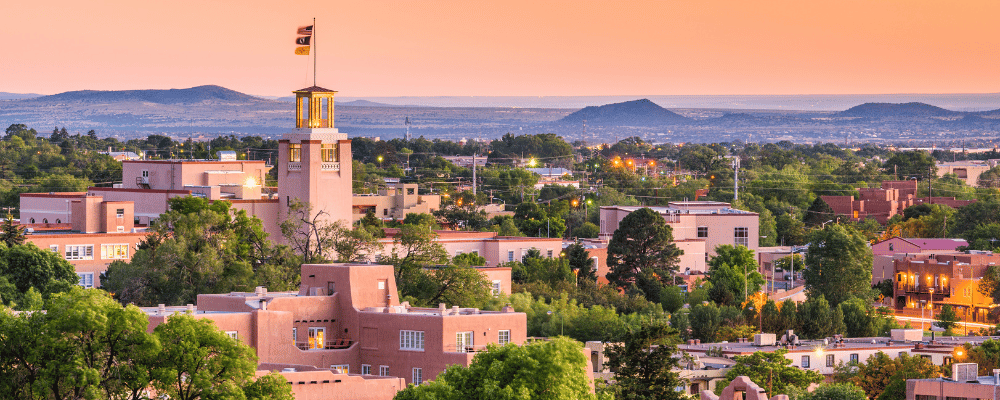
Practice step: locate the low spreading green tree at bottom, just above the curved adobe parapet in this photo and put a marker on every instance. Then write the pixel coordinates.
(771, 371)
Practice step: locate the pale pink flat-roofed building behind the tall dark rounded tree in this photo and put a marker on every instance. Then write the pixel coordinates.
(698, 228)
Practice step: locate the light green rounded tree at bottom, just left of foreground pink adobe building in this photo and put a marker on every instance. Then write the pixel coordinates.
(198, 361)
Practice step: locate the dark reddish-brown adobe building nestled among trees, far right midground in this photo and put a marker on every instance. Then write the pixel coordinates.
(885, 202)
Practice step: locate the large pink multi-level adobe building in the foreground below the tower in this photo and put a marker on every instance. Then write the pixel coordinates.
(346, 318)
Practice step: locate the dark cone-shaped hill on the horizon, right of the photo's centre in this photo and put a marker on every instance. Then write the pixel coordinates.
(630, 113)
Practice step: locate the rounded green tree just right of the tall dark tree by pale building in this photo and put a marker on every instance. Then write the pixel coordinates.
(734, 273)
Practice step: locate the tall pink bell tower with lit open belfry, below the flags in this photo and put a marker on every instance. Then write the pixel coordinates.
(314, 160)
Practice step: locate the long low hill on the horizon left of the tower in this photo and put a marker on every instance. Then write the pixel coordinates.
(198, 94)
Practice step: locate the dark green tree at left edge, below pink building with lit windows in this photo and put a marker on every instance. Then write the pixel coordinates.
(27, 267)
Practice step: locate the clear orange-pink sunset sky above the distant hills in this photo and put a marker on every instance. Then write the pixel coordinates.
(505, 48)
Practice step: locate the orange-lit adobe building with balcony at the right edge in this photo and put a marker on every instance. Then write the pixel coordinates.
(940, 279)
